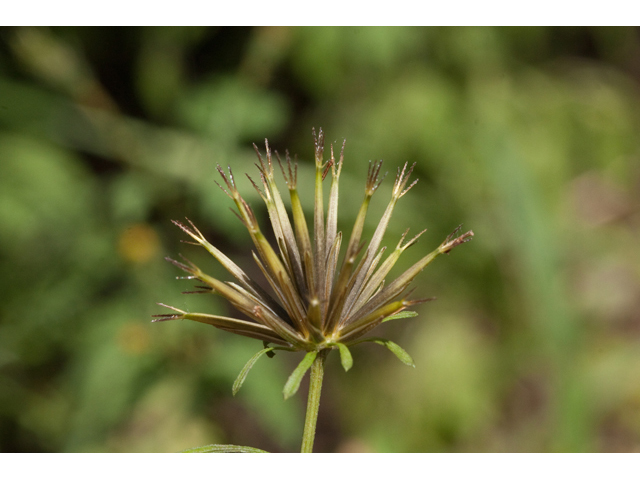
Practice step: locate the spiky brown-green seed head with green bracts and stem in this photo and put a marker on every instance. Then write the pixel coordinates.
(318, 303)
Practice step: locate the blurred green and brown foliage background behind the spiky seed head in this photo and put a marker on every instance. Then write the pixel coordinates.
(528, 136)
